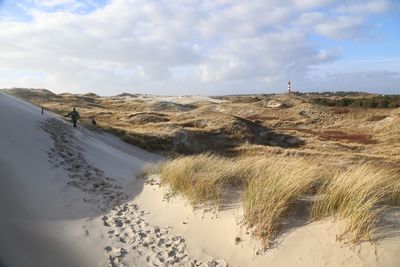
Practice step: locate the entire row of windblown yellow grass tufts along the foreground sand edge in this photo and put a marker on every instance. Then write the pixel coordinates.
(273, 188)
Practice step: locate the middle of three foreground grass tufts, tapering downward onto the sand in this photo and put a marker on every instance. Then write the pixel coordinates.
(273, 193)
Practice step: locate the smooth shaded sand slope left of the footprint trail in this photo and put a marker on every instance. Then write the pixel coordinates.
(32, 192)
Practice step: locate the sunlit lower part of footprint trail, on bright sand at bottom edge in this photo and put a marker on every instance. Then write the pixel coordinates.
(129, 226)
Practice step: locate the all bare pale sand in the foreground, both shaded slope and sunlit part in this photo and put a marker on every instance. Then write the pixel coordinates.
(68, 197)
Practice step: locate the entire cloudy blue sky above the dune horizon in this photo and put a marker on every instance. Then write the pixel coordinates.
(200, 47)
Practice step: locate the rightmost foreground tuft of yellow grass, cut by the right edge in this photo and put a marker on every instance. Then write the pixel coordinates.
(357, 197)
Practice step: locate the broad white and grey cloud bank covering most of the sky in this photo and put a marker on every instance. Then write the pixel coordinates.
(164, 44)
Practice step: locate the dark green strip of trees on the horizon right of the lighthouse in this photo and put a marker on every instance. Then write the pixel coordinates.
(367, 102)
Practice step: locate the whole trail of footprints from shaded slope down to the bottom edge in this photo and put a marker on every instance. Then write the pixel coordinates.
(130, 233)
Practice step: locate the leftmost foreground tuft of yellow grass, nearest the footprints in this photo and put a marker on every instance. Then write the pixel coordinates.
(202, 178)
